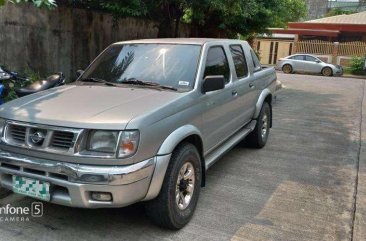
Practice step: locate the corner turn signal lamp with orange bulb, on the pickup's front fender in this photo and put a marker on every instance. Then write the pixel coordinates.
(128, 143)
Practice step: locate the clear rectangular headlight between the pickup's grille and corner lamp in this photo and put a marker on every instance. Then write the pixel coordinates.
(102, 141)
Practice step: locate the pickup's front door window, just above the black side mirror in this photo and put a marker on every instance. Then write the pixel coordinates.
(217, 64)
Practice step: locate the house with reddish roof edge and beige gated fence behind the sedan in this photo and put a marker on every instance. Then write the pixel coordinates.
(334, 39)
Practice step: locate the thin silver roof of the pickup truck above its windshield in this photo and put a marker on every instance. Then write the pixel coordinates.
(193, 41)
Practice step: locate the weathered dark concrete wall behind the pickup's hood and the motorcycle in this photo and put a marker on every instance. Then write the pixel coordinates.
(64, 39)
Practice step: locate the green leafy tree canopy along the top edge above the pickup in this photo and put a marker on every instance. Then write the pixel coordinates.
(206, 18)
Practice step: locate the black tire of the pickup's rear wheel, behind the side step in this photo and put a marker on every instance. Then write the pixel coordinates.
(256, 138)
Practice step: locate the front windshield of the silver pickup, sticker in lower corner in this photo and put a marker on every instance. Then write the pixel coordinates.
(170, 65)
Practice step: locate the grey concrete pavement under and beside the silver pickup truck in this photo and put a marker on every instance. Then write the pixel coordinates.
(301, 186)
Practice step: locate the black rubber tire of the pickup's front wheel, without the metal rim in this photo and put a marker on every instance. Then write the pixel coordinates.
(164, 211)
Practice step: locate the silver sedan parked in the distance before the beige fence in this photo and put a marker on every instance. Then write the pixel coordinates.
(306, 63)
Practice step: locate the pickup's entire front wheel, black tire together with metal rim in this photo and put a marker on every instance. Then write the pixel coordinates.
(178, 197)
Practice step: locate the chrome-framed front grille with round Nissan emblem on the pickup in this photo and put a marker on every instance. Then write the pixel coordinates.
(40, 137)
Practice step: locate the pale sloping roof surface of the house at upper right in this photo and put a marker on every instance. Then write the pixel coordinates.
(356, 18)
